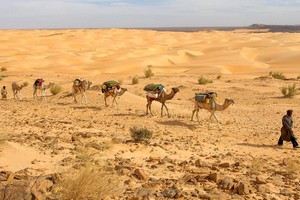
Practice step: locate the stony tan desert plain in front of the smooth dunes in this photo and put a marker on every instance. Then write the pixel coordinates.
(56, 149)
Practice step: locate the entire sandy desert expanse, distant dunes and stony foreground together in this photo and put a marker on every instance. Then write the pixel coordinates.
(183, 159)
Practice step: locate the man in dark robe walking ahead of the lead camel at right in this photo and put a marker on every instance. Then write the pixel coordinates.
(287, 133)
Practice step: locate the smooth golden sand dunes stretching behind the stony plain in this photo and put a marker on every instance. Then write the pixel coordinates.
(104, 51)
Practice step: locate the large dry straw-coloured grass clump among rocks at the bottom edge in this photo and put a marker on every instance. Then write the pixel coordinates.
(89, 183)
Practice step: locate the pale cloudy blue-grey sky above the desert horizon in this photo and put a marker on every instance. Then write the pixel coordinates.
(39, 14)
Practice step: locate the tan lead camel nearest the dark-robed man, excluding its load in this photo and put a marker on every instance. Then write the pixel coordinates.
(212, 107)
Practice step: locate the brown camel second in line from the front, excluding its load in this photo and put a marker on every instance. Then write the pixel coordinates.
(162, 98)
